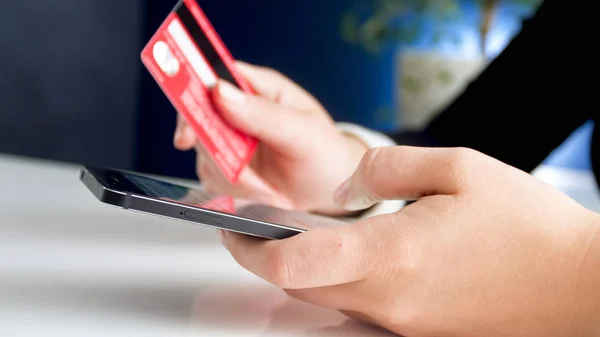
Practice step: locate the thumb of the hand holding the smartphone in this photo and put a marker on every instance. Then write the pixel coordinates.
(404, 173)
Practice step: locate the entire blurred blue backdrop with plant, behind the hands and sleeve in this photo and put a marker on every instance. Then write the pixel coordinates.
(73, 88)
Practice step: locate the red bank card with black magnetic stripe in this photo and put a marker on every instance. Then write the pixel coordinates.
(185, 57)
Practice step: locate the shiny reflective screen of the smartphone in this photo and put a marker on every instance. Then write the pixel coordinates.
(152, 188)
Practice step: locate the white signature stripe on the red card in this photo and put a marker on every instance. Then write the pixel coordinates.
(189, 50)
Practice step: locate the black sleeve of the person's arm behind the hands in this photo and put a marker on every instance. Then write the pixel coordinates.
(525, 104)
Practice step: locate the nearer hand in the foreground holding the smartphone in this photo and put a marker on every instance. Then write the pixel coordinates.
(487, 250)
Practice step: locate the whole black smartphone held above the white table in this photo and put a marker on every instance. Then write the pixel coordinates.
(143, 194)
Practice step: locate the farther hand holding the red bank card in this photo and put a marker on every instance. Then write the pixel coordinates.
(302, 157)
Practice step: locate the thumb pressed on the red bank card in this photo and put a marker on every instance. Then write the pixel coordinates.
(275, 125)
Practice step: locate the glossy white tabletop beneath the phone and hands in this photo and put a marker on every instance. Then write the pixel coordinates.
(71, 266)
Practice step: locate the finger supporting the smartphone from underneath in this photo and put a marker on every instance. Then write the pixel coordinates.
(316, 258)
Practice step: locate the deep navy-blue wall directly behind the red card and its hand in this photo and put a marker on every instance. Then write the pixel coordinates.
(299, 38)
